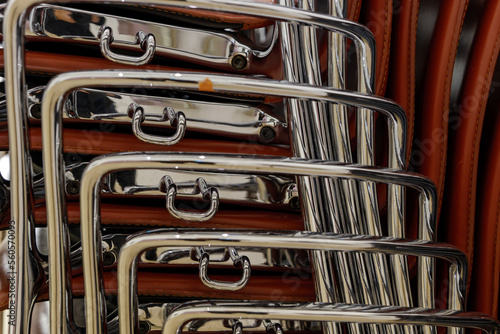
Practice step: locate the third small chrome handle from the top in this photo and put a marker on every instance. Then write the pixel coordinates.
(200, 188)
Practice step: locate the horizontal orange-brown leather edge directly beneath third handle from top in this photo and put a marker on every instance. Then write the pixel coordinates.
(154, 216)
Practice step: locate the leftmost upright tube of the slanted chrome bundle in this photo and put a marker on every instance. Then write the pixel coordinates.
(303, 120)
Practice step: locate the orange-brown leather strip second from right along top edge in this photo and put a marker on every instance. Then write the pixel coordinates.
(431, 120)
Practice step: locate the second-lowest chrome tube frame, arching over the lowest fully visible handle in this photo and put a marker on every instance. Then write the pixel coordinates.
(127, 262)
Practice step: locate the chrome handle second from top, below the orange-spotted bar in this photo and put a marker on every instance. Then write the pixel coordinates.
(136, 112)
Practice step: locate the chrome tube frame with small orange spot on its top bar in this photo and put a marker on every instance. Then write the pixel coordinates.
(61, 86)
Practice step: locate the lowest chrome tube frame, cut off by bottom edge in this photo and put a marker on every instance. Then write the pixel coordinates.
(327, 312)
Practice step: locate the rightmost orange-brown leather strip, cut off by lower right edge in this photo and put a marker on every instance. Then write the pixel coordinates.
(485, 279)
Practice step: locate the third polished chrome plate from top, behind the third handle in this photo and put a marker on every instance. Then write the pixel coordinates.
(272, 191)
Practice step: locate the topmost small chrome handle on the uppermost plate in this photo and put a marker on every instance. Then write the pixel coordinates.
(147, 43)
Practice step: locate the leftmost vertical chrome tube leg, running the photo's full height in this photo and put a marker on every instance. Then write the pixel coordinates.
(24, 276)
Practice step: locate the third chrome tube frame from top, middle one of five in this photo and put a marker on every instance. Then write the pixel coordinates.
(99, 167)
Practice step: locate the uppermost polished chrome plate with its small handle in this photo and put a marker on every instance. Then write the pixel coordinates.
(196, 45)
